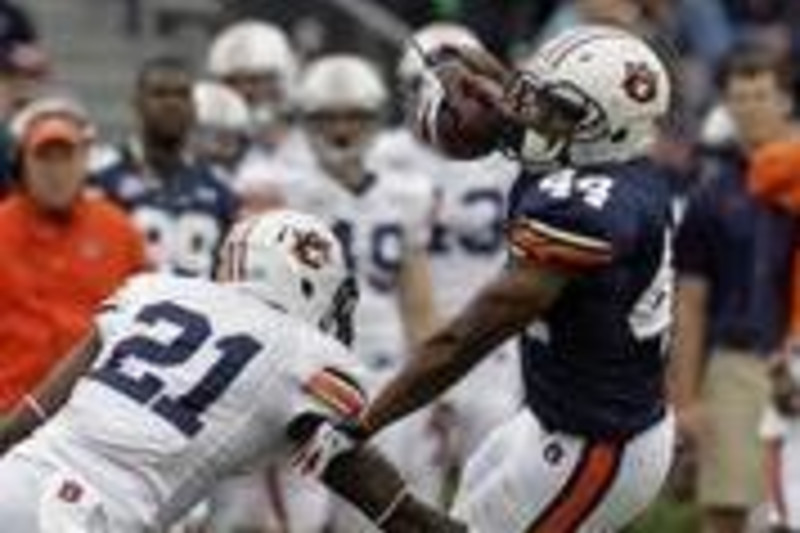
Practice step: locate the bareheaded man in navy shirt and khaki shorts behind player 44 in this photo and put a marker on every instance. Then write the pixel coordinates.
(733, 257)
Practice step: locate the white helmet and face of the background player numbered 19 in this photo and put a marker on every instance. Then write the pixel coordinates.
(342, 98)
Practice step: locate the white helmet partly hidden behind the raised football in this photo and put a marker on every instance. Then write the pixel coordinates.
(428, 39)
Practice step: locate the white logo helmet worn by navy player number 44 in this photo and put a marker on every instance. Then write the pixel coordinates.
(621, 82)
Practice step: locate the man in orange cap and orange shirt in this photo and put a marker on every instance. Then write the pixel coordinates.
(63, 252)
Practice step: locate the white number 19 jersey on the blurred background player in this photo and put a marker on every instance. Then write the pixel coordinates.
(379, 225)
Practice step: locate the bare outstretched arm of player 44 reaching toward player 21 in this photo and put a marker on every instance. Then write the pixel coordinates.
(507, 305)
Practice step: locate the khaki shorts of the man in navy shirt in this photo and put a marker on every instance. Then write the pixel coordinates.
(735, 394)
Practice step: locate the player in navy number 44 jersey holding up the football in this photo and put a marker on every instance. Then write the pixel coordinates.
(588, 287)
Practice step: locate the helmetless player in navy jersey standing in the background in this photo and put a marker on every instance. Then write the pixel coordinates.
(177, 201)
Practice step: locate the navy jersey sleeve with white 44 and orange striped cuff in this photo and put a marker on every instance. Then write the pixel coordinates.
(570, 223)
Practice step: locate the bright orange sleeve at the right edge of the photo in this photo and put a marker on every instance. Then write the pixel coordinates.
(774, 174)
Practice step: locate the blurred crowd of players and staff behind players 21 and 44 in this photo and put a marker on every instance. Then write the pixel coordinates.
(132, 132)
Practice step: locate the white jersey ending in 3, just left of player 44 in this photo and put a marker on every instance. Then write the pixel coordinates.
(467, 244)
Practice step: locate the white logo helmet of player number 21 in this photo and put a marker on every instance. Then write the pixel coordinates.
(294, 262)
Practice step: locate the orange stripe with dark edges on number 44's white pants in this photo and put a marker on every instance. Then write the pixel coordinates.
(589, 482)
